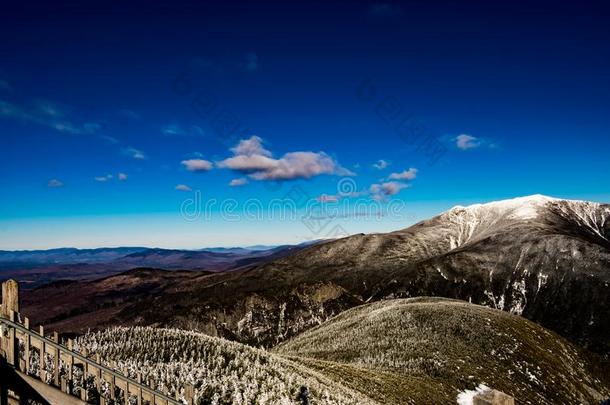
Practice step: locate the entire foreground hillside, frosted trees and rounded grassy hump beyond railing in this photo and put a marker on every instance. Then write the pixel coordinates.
(401, 351)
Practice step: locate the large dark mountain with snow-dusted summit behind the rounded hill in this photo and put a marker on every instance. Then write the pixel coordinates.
(543, 258)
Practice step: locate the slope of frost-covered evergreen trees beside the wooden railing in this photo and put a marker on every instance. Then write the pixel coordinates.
(222, 372)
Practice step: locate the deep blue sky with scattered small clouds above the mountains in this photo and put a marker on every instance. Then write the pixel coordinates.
(191, 125)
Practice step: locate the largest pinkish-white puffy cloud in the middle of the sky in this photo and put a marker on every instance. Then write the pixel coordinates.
(252, 158)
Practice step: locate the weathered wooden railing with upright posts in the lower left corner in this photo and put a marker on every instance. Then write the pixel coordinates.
(18, 341)
